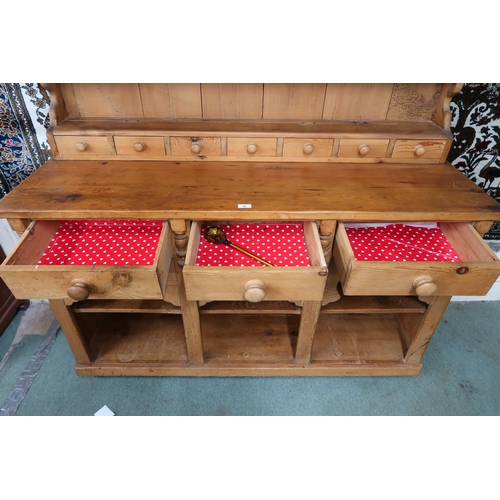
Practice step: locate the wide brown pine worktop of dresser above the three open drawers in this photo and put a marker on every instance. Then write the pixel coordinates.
(211, 190)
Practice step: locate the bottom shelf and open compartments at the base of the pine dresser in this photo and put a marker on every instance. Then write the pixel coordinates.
(243, 345)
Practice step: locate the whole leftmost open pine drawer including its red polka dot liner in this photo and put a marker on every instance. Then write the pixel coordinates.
(33, 271)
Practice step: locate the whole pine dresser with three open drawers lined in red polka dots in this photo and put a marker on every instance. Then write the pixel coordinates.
(363, 230)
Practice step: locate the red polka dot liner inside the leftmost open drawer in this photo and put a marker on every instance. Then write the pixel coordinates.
(104, 243)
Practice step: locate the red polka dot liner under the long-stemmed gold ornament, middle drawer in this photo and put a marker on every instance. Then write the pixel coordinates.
(280, 244)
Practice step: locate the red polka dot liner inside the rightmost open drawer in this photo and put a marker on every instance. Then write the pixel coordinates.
(401, 242)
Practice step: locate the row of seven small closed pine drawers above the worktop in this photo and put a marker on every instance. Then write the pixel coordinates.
(251, 147)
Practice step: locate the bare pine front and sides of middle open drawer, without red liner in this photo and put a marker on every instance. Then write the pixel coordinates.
(256, 283)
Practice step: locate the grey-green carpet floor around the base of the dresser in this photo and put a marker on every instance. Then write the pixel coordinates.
(460, 376)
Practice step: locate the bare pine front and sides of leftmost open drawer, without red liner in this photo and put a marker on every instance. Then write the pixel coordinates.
(28, 280)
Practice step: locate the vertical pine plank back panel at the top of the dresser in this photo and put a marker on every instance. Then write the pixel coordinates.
(332, 101)
